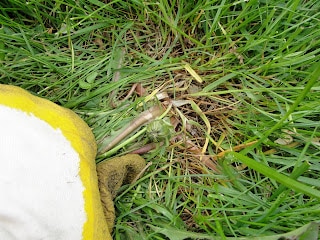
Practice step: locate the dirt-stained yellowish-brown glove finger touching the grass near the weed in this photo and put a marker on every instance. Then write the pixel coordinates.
(112, 174)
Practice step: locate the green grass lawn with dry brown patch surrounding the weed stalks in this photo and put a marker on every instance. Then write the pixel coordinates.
(255, 82)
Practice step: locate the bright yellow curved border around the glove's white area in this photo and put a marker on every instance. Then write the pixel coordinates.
(81, 139)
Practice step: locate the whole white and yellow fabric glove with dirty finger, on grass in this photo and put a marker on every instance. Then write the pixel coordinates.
(48, 176)
